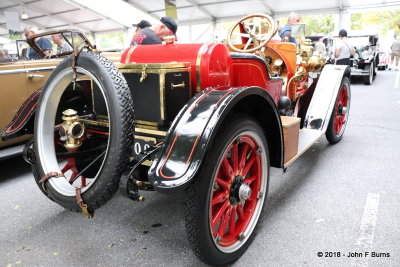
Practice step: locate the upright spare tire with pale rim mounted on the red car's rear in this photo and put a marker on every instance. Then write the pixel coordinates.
(113, 98)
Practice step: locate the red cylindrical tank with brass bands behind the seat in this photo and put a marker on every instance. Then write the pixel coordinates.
(210, 64)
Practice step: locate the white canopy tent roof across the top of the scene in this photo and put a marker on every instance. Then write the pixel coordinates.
(100, 16)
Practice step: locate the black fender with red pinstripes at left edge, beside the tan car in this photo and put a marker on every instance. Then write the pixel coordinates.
(23, 121)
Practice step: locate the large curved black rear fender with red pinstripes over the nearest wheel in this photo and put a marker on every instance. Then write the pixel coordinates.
(191, 134)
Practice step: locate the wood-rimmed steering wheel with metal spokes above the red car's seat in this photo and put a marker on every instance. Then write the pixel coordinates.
(257, 29)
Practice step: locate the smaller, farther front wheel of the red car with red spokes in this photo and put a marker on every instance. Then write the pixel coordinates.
(340, 113)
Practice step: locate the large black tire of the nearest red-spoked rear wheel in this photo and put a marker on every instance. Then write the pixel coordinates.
(240, 131)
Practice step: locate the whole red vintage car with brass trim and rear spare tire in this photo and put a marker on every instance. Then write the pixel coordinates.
(207, 119)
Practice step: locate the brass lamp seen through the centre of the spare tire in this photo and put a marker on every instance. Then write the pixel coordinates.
(73, 128)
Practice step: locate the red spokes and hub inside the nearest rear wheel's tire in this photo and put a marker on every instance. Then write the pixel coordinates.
(235, 192)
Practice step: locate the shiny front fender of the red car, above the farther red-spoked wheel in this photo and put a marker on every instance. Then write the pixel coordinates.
(324, 98)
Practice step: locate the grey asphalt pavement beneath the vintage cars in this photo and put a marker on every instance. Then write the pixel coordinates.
(337, 205)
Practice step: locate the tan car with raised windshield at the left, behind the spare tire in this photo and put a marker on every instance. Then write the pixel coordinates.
(21, 80)
